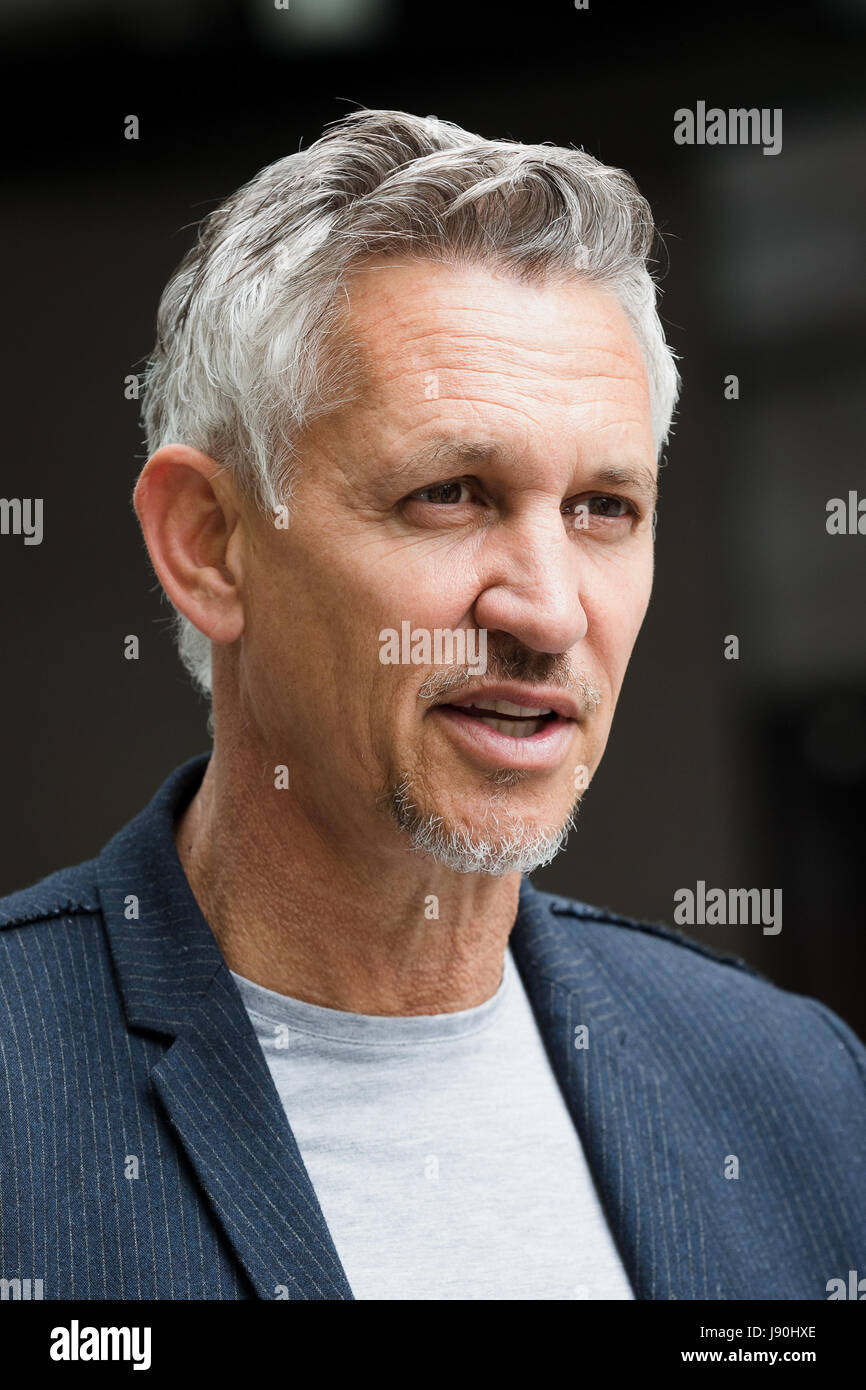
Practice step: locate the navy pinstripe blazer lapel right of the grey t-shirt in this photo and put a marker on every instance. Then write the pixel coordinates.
(655, 1166)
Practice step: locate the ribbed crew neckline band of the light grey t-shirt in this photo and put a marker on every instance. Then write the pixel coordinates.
(373, 1028)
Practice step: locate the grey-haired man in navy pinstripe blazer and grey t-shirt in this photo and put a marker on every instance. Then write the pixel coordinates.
(305, 1029)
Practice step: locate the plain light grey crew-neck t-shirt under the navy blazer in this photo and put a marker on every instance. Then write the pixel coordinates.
(441, 1149)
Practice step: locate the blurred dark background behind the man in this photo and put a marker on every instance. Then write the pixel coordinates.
(740, 774)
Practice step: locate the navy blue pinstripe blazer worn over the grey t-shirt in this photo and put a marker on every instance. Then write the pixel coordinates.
(145, 1153)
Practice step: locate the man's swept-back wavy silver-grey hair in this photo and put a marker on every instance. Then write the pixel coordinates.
(250, 351)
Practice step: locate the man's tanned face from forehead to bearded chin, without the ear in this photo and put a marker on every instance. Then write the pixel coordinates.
(496, 475)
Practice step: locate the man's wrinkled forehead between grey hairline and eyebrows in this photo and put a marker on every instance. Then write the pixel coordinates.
(546, 379)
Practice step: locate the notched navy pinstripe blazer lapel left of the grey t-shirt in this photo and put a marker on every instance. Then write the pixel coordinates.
(213, 1081)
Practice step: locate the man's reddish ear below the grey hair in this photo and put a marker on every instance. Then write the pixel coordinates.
(191, 516)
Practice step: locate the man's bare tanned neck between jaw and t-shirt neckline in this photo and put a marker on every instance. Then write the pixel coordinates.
(343, 922)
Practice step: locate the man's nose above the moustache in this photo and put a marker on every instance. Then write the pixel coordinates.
(532, 584)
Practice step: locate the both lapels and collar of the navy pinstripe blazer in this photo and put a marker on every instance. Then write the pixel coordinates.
(224, 1109)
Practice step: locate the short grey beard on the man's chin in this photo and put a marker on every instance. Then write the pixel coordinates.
(512, 849)
